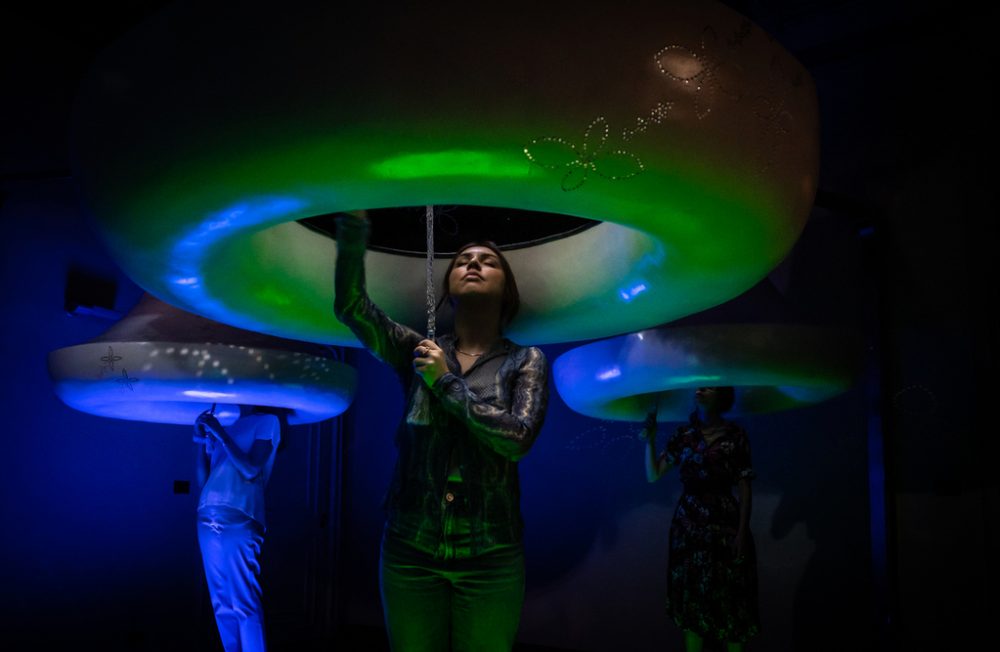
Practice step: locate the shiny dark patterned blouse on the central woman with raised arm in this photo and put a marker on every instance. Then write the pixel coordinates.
(483, 421)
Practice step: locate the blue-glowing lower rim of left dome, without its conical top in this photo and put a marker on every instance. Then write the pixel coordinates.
(174, 382)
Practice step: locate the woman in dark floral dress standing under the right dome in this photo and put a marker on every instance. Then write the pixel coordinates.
(712, 570)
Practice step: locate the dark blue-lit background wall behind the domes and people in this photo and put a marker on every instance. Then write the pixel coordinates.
(98, 547)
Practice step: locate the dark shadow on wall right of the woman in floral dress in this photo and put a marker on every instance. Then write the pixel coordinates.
(825, 487)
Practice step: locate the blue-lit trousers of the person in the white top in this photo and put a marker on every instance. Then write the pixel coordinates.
(230, 549)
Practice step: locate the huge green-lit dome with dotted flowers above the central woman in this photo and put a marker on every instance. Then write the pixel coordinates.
(204, 134)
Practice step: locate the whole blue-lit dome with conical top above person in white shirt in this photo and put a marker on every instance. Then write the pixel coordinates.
(163, 365)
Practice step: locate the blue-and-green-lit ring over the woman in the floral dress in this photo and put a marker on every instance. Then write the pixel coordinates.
(772, 366)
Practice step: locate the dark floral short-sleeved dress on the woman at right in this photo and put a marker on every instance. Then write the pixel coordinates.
(709, 591)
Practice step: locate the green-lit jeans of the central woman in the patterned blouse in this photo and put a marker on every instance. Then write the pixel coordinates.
(450, 599)
